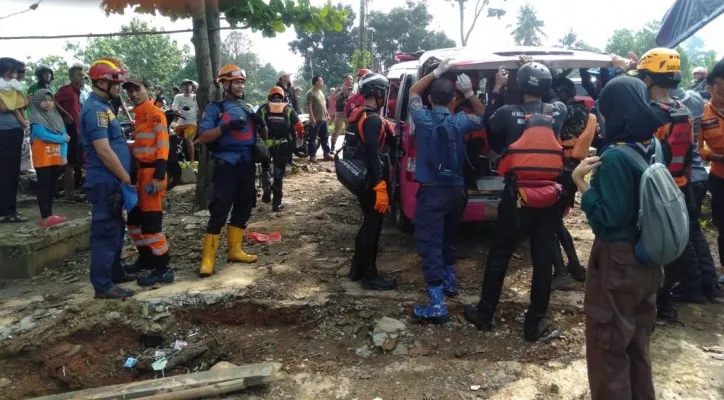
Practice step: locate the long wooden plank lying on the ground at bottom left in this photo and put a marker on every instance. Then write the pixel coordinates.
(252, 374)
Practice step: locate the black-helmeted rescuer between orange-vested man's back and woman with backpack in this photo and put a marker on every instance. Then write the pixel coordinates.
(577, 133)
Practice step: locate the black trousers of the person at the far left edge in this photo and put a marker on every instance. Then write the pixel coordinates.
(11, 145)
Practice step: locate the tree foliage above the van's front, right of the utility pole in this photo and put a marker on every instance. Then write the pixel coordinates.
(404, 29)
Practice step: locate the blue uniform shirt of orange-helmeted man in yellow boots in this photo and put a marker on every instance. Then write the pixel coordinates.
(233, 146)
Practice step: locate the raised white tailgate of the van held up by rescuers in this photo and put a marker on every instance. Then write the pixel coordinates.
(474, 58)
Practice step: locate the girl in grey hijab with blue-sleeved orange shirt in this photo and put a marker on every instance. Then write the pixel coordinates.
(50, 151)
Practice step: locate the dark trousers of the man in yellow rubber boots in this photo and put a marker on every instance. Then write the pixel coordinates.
(233, 191)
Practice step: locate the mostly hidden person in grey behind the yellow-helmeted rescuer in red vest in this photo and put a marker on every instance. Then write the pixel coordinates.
(699, 188)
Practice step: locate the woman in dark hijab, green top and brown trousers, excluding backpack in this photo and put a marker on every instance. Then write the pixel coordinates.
(620, 301)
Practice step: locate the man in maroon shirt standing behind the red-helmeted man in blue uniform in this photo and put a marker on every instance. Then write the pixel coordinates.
(69, 97)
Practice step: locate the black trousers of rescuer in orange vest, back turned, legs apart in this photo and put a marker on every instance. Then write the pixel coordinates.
(513, 223)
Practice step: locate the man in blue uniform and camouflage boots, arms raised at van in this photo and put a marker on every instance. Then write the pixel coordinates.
(442, 194)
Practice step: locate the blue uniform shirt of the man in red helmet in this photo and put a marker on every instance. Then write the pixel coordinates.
(97, 121)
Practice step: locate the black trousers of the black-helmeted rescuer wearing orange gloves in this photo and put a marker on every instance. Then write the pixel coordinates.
(367, 243)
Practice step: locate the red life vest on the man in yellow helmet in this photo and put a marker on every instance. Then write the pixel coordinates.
(676, 138)
